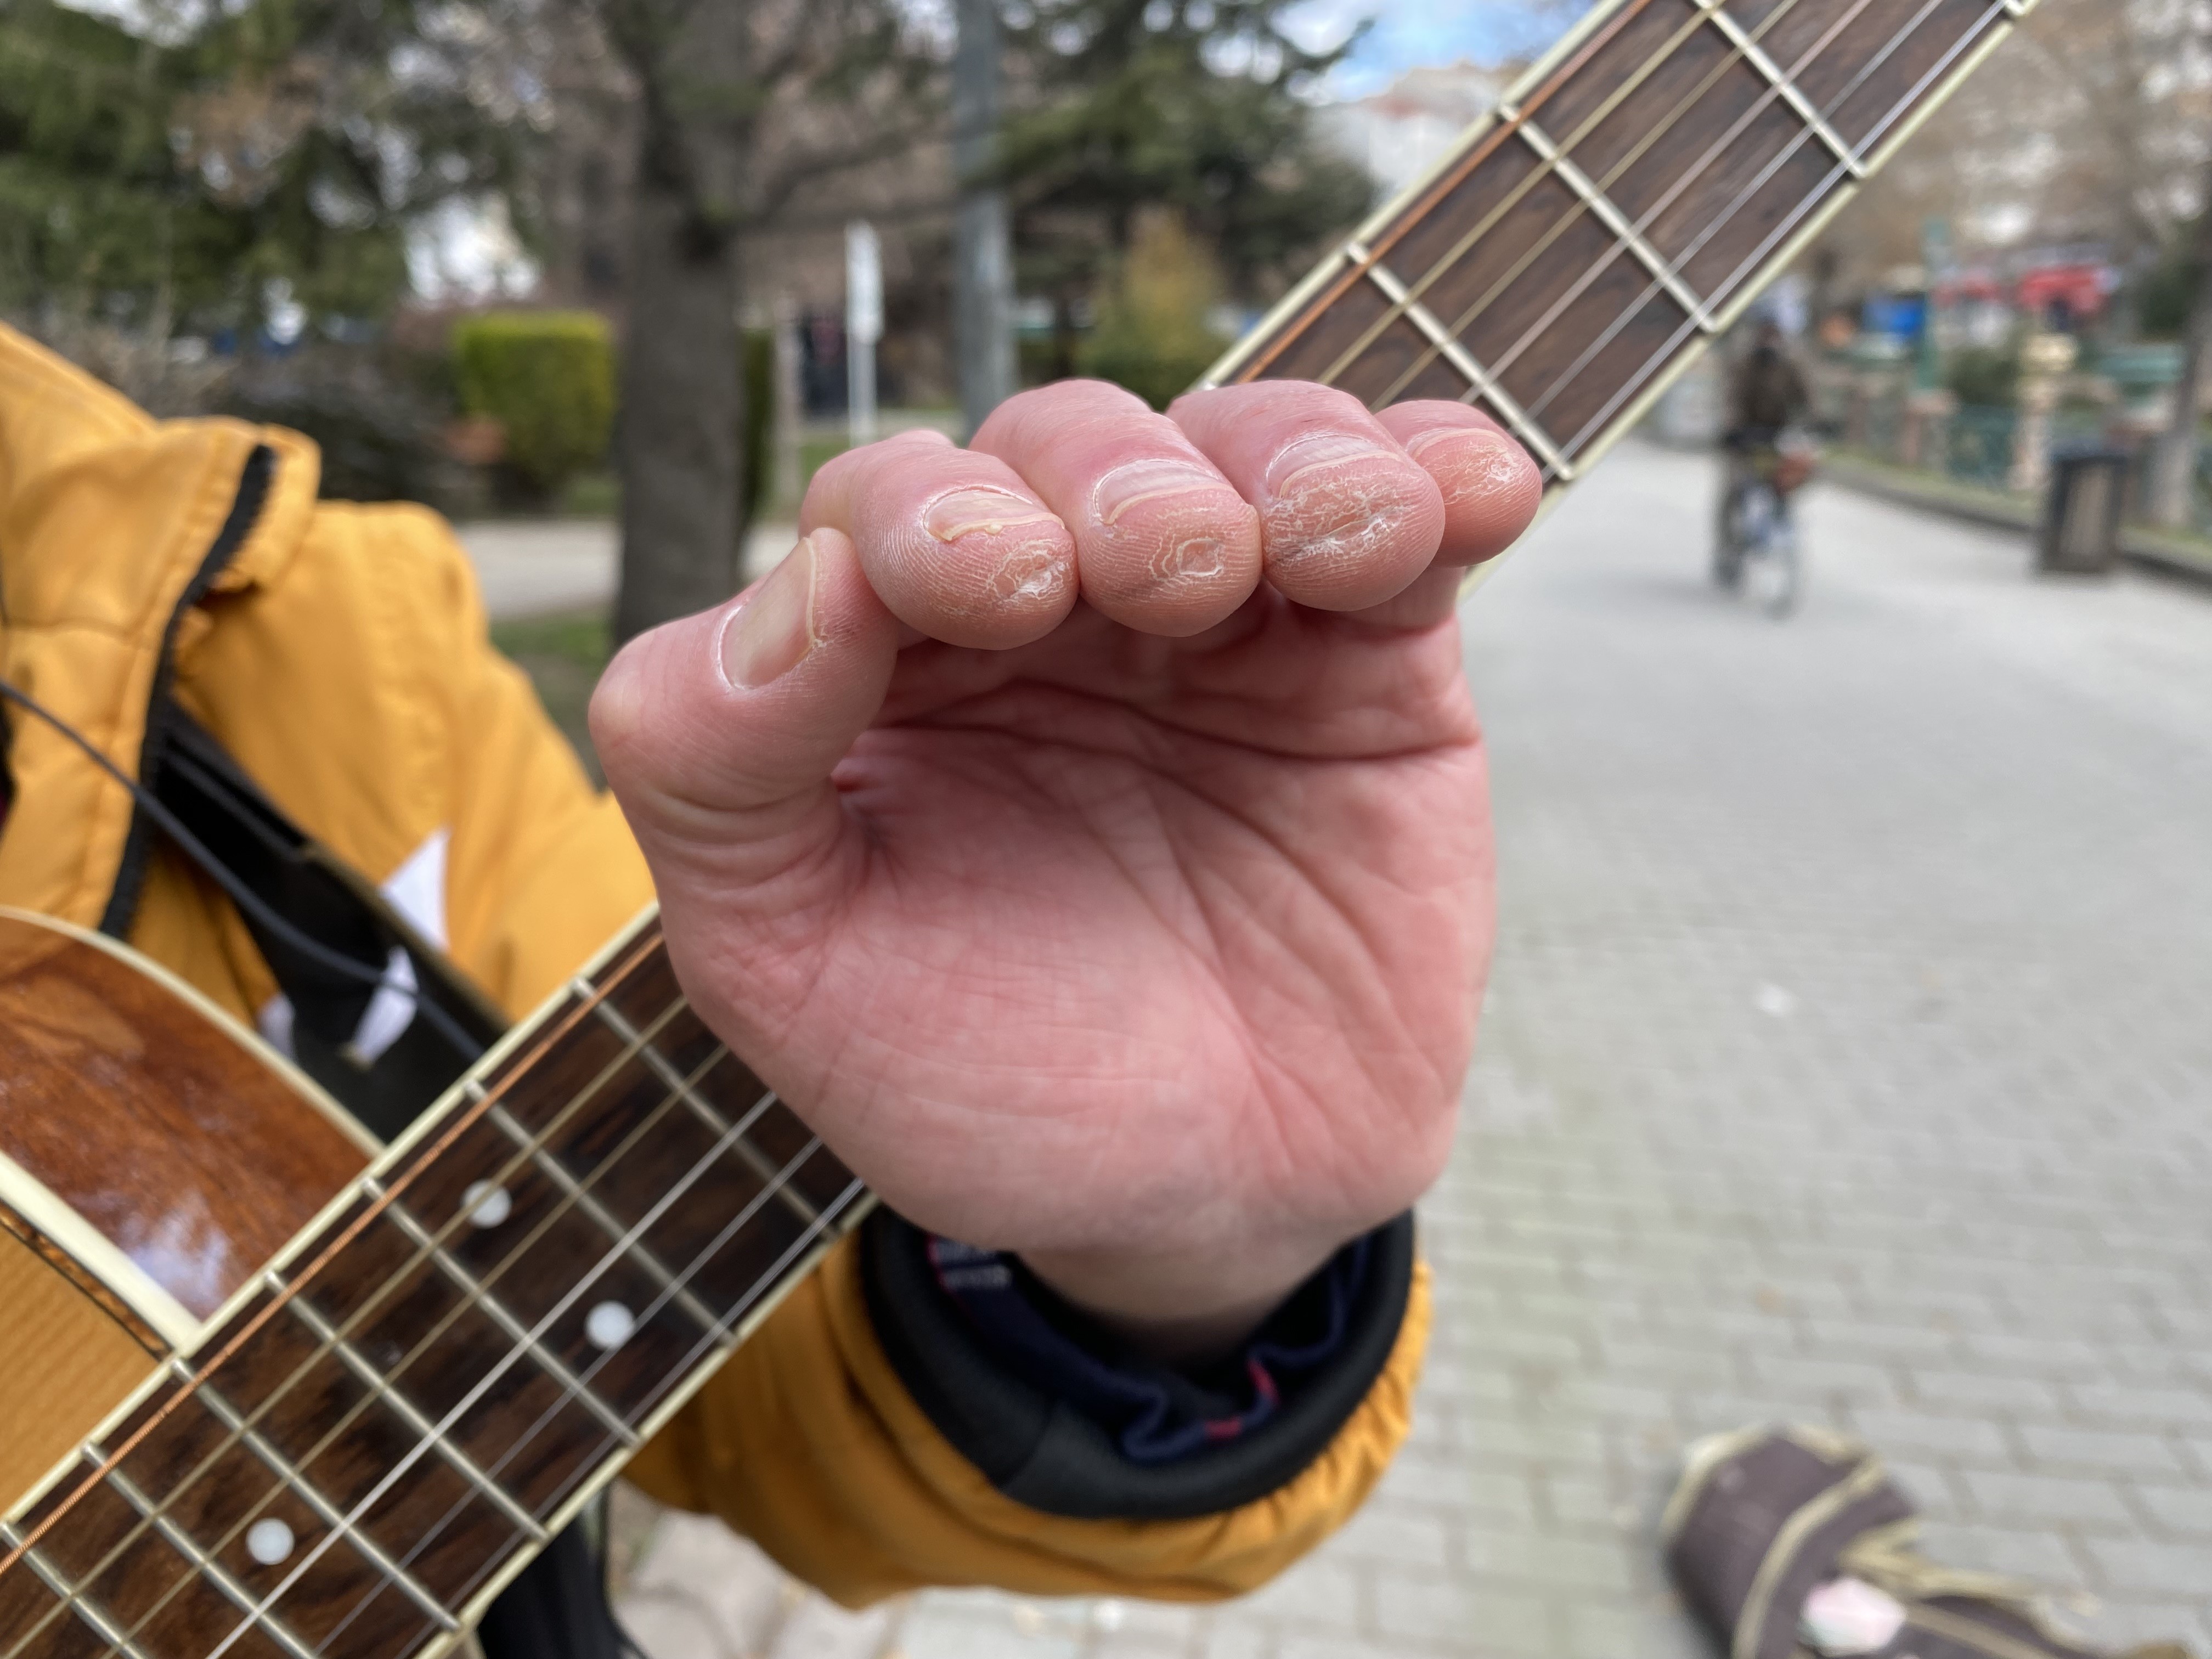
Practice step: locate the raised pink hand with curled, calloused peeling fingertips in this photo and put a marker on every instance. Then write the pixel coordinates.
(1087, 831)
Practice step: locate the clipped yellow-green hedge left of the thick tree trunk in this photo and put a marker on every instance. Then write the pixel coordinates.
(547, 379)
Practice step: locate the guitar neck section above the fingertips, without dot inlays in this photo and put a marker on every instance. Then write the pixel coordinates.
(1620, 209)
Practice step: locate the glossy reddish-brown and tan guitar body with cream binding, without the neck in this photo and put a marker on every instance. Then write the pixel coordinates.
(152, 1160)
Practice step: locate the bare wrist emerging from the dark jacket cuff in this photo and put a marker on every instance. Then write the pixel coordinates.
(1182, 1308)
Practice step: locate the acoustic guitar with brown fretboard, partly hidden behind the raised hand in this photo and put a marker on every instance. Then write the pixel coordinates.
(278, 1392)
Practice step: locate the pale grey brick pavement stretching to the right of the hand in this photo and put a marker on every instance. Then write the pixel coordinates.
(1846, 1061)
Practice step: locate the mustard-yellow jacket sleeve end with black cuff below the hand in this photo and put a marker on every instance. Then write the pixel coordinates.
(866, 1477)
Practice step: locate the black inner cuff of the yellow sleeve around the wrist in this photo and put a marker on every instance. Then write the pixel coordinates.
(1045, 1452)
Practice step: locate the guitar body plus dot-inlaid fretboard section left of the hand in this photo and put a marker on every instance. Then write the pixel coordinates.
(278, 1392)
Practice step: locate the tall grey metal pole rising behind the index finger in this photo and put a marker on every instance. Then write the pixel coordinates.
(983, 258)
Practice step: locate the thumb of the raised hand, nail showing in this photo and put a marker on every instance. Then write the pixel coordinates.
(720, 733)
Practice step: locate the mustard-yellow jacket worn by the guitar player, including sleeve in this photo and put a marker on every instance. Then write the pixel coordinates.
(340, 654)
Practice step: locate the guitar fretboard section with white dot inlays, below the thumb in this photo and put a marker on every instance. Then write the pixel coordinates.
(468, 1344)
